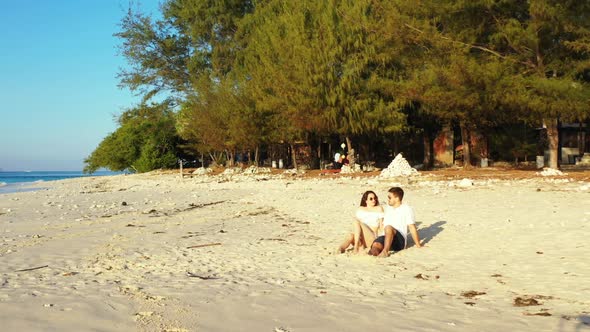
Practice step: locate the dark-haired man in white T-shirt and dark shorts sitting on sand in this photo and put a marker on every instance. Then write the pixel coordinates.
(398, 219)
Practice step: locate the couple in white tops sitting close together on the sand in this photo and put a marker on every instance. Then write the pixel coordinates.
(383, 228)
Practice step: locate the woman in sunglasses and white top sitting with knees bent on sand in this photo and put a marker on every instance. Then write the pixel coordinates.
(369, 218)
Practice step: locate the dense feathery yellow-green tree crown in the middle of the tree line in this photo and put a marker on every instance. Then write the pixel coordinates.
(314, 65)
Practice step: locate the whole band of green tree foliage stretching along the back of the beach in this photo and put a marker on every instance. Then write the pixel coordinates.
(244, 73)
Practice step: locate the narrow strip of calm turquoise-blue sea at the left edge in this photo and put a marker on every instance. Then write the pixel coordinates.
(15, 181)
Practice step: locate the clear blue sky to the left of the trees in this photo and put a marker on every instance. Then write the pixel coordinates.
(58, 85)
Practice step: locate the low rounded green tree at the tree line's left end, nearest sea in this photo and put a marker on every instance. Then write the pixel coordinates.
(145, 140)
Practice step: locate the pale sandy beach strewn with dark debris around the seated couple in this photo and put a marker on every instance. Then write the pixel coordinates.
(256, 252)
